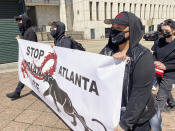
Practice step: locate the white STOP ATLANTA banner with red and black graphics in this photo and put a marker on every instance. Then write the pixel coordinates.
(83, 88)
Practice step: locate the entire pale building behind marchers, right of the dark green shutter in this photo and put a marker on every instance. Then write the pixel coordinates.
(88, 15)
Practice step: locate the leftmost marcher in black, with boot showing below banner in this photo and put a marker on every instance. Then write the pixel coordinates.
(27, 33)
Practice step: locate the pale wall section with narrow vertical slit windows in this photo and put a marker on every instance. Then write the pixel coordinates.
(151, 13)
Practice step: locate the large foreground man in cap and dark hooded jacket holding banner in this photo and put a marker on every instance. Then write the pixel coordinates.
(137, 106)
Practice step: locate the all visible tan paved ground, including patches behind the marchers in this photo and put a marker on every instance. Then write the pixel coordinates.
(29, 113)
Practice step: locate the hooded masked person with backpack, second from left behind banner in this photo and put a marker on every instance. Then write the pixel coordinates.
(57, 31)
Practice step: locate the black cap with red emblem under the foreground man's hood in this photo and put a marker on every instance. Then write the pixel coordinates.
(121, 19)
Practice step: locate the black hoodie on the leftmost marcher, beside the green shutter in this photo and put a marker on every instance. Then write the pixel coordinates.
(27, 31)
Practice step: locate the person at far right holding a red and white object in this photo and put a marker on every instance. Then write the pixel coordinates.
(164, 57)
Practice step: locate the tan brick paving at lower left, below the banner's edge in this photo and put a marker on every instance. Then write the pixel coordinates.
(28, 113)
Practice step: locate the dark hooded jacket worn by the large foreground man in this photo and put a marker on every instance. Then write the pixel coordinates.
(137, 101)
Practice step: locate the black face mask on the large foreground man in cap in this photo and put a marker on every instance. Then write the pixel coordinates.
(118, 37)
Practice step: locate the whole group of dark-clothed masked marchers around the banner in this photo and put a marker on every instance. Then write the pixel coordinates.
(140, 110)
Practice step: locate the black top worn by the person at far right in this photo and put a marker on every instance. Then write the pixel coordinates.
(165, 52)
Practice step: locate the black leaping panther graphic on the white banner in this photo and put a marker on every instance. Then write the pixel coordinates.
(62, 98)
